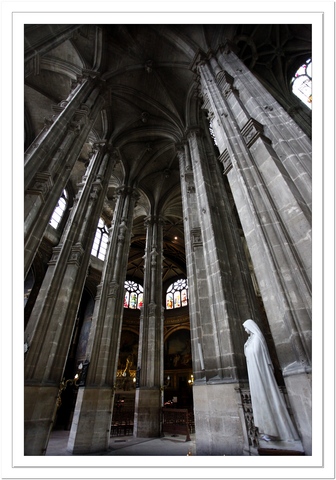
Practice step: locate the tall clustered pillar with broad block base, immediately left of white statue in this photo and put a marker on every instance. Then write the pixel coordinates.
(220, 295)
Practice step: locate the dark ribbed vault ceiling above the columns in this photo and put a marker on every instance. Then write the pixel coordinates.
(149, 94)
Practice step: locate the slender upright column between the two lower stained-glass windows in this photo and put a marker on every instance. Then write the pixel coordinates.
(148, 397)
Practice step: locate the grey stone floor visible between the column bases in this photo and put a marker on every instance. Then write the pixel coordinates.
(129, 445)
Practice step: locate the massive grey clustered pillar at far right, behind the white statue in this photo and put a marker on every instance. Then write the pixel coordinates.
(267, 160)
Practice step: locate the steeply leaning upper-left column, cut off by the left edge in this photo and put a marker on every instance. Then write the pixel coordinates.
(49, 161)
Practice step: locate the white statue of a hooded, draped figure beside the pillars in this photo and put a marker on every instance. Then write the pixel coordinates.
(270, 413)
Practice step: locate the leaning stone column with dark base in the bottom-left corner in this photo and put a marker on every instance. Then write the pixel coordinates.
(53, 318)
